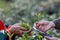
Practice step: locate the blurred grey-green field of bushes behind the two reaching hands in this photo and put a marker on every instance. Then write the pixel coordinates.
(30, 11)
